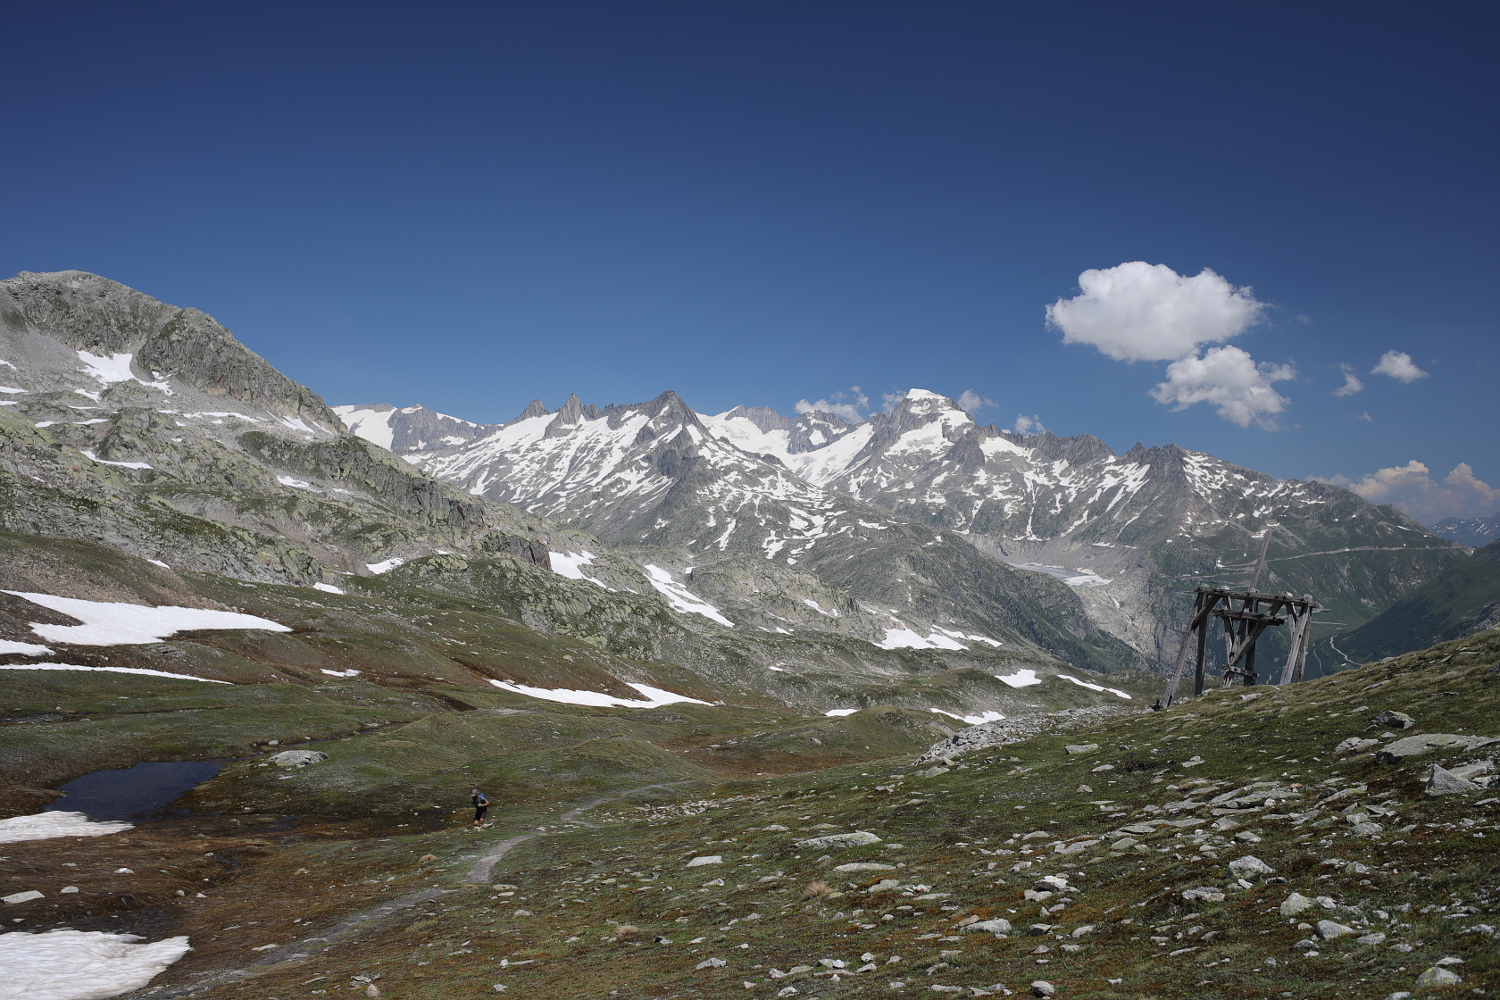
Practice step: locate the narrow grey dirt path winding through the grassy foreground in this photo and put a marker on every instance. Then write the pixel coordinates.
(340, 933)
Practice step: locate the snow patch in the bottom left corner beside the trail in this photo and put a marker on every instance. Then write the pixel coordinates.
(70, 965)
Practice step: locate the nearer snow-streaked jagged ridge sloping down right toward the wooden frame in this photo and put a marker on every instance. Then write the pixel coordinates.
(655, 481)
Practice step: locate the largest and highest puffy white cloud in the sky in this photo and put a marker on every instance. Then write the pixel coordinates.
(1148, 313)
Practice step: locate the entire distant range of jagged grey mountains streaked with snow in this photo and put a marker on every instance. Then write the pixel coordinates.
(1123, 531)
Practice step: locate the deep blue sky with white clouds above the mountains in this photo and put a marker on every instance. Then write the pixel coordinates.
(470, 206)
